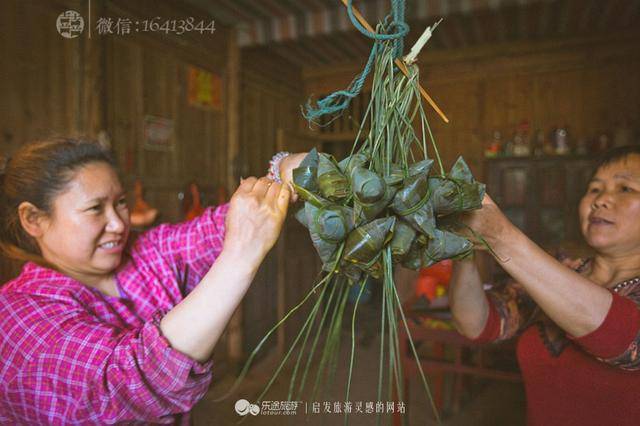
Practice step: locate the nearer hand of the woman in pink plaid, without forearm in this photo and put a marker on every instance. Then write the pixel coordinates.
(256, 213)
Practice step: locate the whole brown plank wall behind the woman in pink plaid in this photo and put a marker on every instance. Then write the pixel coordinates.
(109, 83)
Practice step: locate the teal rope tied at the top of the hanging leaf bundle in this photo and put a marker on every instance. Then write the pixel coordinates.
(395, 28)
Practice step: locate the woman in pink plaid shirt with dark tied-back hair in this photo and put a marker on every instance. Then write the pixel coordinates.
(97, 328)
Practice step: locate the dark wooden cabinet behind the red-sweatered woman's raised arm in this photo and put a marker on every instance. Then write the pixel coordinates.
(541, 196)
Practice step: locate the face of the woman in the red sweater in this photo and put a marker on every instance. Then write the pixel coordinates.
(610, 210)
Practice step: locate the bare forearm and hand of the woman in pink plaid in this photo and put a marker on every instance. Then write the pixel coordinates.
(256, 214)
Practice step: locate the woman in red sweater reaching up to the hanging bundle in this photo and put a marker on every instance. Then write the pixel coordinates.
(579, 330)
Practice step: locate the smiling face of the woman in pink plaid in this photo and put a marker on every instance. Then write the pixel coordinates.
(89, 225)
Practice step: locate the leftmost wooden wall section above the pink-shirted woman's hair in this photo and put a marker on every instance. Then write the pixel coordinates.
(41, 75)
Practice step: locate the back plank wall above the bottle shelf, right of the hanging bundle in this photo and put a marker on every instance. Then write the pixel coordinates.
(589, 85)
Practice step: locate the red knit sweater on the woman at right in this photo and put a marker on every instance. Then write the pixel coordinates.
(588, 383)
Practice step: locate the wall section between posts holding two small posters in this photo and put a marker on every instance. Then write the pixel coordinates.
(147, 76)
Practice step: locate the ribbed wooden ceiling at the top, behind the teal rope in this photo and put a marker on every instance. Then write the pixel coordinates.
(318, 33)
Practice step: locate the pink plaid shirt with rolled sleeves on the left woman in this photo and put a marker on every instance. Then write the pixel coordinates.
(72, 355)
